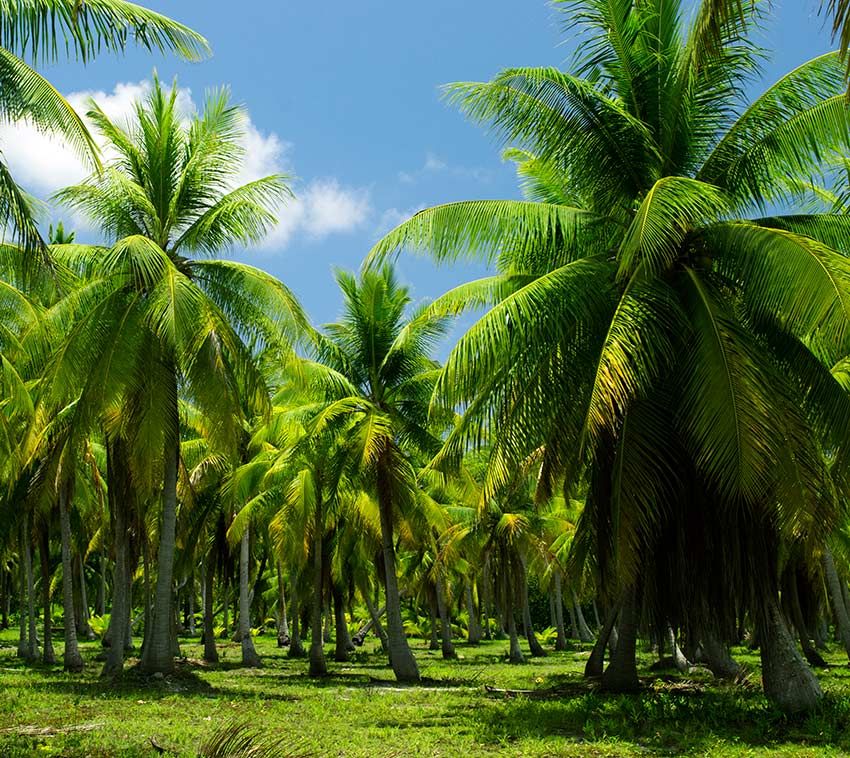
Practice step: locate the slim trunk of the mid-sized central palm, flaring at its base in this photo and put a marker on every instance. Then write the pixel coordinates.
(401, 658)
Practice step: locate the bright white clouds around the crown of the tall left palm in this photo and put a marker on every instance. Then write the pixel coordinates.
(44, 164)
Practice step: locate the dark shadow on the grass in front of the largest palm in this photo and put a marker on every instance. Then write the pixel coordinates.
(670, 718)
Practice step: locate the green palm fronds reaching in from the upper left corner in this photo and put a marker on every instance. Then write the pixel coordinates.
(44, 32)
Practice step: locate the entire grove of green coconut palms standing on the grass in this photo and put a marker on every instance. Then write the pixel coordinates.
(647, 429)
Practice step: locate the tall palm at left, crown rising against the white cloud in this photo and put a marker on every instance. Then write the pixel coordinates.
(150, 322)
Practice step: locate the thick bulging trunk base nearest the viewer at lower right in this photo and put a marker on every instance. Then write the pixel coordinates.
(788, 682)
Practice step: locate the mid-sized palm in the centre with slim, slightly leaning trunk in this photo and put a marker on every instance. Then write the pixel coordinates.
(378, 384)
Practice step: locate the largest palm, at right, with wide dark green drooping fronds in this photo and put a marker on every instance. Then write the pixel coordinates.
(646, 307)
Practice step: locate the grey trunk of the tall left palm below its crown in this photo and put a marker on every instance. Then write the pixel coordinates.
(158, 655)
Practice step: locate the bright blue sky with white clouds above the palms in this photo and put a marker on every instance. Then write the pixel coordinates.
(345, 95)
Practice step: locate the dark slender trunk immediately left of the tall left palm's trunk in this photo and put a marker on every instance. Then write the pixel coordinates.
(120, 492)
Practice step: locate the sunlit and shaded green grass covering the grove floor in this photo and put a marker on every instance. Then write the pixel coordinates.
(360, 711)
